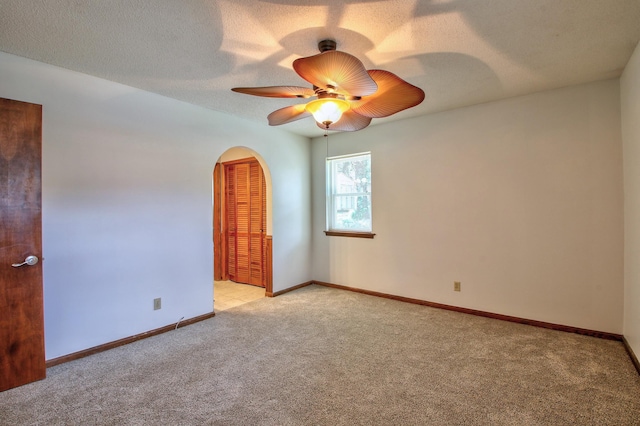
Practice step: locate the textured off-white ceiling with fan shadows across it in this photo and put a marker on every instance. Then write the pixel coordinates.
(460, 52)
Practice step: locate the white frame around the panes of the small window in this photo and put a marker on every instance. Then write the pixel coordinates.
(332, 196)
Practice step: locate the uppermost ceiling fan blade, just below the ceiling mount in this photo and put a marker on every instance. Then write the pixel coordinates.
(336, 70)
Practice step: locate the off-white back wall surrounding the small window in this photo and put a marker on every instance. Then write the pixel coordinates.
(521, 200)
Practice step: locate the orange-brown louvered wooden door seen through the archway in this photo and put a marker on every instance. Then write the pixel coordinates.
(245, 219)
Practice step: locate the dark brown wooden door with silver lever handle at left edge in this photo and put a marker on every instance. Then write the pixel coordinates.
(22, 358)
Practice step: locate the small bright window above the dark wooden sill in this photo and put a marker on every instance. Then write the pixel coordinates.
(349, 195)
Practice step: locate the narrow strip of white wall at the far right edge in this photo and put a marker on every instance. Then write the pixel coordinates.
(630, 100)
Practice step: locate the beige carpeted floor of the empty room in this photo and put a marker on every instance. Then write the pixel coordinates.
(321, 356)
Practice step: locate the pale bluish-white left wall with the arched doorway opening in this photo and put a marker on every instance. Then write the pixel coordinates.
(127, 203)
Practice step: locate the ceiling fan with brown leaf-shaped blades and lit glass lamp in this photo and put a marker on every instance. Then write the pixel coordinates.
(348, 95)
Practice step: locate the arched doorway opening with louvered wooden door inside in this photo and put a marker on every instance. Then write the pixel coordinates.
(242, 228)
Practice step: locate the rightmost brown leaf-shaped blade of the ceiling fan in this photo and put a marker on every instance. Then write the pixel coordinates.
(393, 95)
